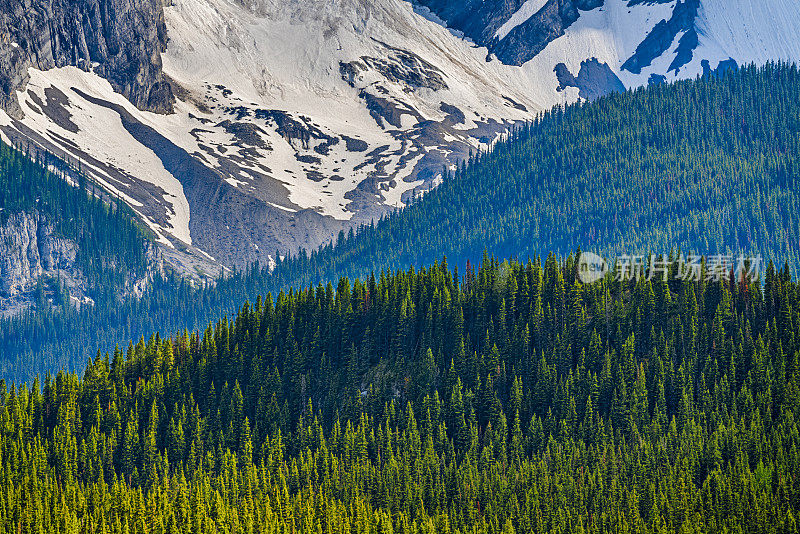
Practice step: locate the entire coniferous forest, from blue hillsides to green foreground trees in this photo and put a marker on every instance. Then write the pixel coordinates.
(374, 386)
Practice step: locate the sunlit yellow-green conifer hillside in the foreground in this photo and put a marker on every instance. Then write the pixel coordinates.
(508, 399)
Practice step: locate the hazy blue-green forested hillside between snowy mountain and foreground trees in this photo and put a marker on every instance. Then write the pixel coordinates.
(708, 165)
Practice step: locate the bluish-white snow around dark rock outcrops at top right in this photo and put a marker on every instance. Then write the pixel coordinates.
(745, 30)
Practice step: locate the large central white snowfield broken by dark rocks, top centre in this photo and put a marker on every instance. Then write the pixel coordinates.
(286, 56)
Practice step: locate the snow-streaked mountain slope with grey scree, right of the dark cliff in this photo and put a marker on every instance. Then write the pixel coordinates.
(293, 120)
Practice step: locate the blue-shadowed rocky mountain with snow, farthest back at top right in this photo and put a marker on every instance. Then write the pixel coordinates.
(638, 40)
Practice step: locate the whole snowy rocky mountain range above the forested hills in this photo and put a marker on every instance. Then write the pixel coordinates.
(239, 131)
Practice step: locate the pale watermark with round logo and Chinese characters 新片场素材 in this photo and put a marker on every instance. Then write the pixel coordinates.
(692, 268)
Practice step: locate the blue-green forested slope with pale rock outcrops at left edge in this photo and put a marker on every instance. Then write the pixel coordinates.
(110, 252)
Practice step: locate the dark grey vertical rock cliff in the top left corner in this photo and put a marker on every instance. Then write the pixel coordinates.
(121, 39)
